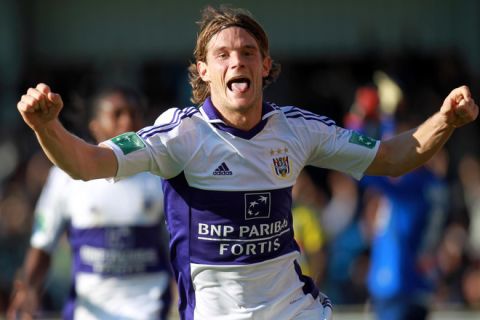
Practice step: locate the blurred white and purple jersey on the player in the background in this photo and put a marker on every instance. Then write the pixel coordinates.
(120, 268)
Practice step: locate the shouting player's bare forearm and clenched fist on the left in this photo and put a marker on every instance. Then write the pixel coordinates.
(40, 108)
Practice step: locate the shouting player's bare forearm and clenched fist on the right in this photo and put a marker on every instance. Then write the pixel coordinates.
(409, 150)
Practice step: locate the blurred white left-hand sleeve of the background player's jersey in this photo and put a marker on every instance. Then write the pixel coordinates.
(50, 220)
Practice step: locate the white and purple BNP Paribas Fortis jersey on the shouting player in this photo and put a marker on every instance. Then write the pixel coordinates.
(228, 204)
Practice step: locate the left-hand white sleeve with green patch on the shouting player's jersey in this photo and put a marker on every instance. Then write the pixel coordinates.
(151, 149)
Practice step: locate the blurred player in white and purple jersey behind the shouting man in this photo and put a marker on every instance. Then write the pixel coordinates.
(116, 231)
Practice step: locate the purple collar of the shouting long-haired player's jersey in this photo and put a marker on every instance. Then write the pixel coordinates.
(212, 116)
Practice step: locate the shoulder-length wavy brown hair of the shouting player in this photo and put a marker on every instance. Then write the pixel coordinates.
(213, 21)
